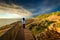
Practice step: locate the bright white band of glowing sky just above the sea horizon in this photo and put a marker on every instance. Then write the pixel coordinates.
(11, 15)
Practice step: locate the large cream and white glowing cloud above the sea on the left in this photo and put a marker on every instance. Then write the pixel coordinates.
(13, 11)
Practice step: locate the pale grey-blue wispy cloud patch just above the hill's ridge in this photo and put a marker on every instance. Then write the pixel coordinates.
(42, 9)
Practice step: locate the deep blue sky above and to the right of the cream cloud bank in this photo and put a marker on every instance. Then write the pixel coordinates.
(36, 7)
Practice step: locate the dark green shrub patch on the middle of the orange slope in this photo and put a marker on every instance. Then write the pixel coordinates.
(37, 28)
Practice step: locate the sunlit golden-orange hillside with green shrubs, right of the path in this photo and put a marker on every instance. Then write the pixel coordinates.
(47, 28)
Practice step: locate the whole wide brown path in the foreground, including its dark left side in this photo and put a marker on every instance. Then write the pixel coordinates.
(17, 33)
